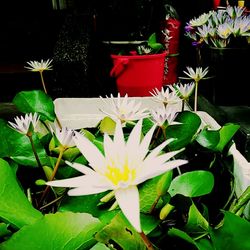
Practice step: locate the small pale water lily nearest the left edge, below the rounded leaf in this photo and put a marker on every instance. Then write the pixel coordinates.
(23, 124)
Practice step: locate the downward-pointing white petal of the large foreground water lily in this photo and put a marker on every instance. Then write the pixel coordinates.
(128, 200)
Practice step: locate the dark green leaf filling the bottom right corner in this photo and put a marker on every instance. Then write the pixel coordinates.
(233, 235)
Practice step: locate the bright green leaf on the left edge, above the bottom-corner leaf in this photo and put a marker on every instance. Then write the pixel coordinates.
(15, 207)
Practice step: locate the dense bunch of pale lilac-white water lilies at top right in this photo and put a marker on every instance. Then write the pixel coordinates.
(218, 28)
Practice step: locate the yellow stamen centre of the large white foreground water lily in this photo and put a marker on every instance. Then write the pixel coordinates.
(122, 177)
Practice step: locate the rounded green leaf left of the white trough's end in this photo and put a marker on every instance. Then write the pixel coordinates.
(35, 101)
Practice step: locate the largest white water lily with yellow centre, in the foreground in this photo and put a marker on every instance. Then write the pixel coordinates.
(124, 165)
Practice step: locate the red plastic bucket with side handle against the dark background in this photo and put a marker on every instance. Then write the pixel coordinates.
(137, 75)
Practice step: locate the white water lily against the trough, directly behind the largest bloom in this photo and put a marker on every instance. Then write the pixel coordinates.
(124, 109)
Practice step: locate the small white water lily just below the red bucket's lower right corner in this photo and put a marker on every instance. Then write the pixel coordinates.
(165, 96)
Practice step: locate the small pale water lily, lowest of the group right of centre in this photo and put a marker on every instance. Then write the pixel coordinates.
(164, 114)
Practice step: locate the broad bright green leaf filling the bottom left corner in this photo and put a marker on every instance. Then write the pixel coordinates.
(65, 230)
